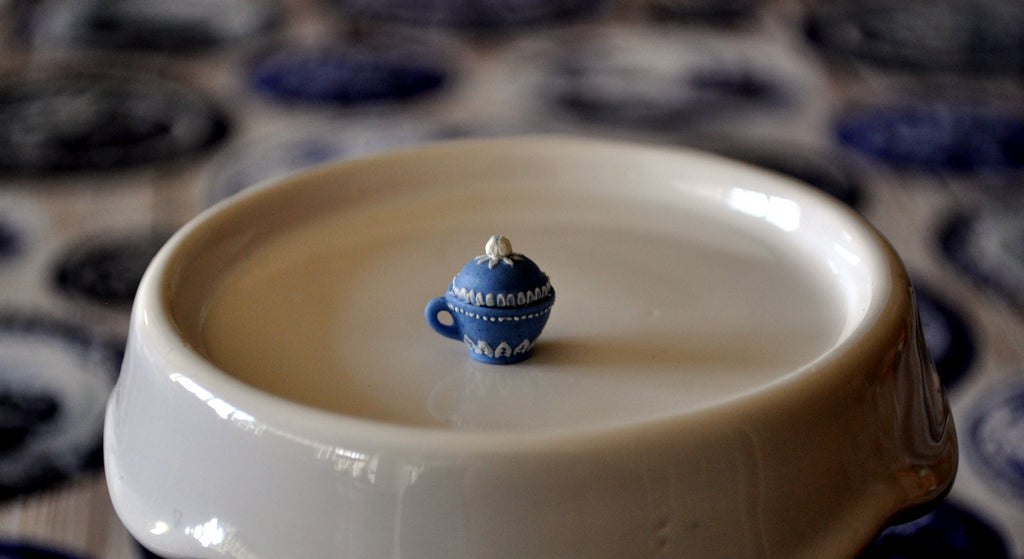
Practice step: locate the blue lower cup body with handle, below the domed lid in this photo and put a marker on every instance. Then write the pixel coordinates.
(497, 336)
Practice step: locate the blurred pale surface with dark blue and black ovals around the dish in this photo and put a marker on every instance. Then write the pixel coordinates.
(120, 120)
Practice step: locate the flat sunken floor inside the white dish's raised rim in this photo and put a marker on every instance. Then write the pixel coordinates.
(651, 323)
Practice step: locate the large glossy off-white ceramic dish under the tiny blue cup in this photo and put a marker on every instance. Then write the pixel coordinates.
(734, 368)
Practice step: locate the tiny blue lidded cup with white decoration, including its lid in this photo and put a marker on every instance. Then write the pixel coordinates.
(499, 305)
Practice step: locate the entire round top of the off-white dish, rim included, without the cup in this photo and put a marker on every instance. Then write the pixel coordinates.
(685, 282)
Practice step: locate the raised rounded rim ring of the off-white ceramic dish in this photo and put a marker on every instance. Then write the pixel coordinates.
(891, 304)
